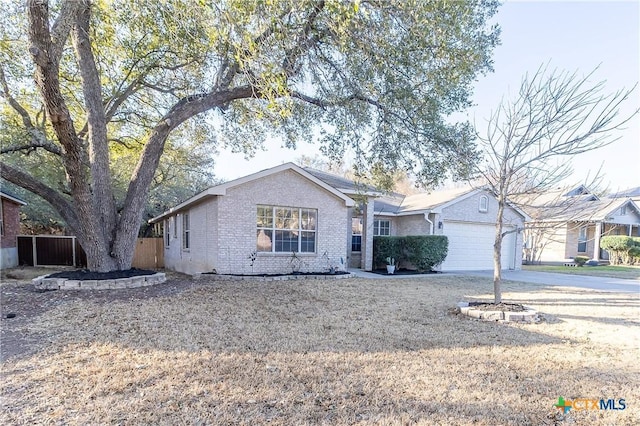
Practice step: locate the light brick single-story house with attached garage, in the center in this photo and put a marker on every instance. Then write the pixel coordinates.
(253, 224)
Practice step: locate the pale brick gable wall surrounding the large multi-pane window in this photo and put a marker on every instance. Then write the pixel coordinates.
(223, 229)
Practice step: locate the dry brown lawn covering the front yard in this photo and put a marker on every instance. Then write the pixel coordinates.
(350, 351)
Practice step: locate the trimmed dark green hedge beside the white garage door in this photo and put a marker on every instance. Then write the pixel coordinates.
(423, 252)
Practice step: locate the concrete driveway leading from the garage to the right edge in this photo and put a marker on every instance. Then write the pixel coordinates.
(565, 280)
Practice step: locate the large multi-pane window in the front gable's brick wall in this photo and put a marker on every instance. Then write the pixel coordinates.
(286, 229)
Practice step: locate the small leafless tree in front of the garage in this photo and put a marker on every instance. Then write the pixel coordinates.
(529, 139)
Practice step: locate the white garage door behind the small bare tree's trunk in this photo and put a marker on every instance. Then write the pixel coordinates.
(471, 247)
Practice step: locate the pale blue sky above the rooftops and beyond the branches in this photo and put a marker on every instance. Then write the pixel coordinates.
(572, 36)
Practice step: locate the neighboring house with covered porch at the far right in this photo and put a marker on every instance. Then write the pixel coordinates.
(569, 224)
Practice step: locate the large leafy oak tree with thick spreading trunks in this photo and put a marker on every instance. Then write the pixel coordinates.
(375, 77)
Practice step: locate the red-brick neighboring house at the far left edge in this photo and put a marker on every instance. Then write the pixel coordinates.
(9, 229)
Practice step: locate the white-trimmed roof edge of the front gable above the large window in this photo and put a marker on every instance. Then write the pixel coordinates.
(221, 190)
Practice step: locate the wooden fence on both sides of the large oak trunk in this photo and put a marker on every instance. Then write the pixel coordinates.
(56, 250)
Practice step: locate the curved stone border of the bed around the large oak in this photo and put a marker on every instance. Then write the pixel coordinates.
(44, 283)
